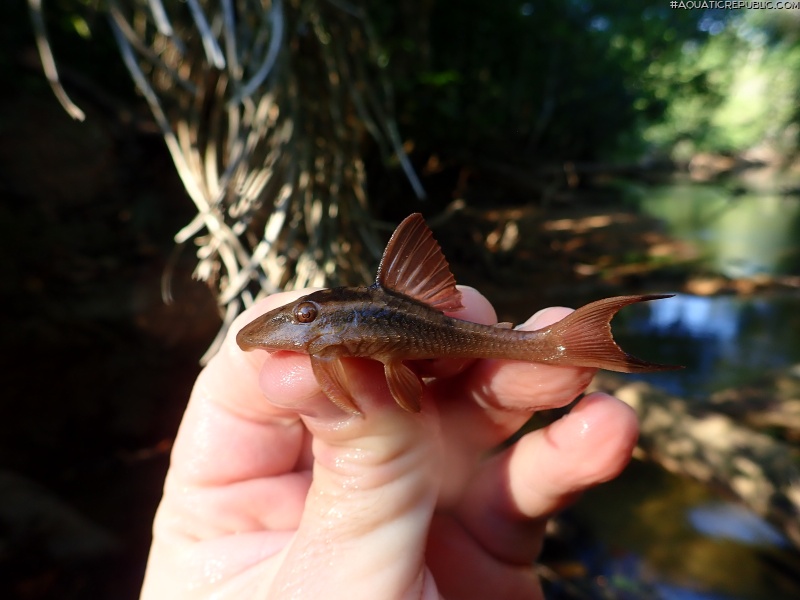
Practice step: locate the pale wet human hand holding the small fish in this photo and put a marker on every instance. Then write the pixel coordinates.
(400, 505)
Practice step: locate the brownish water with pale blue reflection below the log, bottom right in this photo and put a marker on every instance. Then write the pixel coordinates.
(674, 535)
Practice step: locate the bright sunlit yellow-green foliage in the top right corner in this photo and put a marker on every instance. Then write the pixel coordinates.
(748, 94)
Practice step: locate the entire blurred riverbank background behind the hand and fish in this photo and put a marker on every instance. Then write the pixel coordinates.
(561, 151)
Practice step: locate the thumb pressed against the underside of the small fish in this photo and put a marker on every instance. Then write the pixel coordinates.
(374, 489)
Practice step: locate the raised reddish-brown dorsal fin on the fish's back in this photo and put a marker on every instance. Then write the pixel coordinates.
(413, 265)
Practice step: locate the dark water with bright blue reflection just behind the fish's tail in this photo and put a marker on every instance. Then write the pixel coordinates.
(723, 341)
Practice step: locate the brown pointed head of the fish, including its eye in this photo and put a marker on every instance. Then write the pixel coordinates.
(305, 325)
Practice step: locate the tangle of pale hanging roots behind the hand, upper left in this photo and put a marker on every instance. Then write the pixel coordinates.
(264, 106)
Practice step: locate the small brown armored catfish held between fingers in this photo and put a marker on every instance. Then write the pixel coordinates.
(401, 318)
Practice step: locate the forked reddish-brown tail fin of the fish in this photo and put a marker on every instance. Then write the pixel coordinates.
(584, 338)
